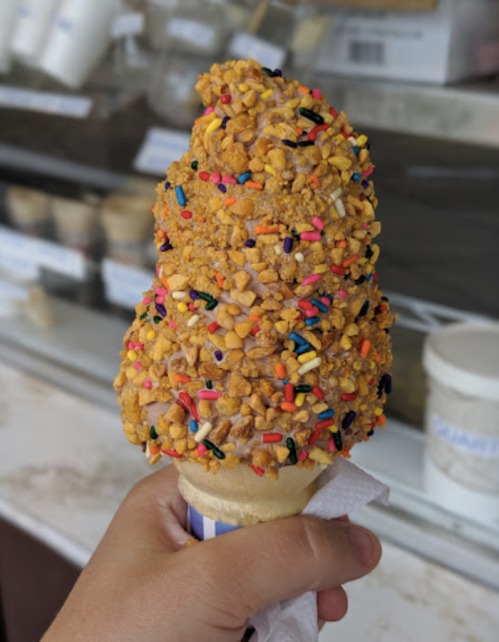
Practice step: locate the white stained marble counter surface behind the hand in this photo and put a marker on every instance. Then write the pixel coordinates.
(65, 466)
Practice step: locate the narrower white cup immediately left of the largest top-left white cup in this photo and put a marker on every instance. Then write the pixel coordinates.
(33, 24)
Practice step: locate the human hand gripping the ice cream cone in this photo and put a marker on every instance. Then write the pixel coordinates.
(145, 583)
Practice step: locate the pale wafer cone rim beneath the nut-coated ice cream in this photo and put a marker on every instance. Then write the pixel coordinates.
(237, 496)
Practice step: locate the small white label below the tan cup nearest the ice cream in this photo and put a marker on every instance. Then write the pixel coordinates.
(125, 284)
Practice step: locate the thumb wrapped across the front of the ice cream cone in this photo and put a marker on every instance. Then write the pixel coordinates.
(279, 560)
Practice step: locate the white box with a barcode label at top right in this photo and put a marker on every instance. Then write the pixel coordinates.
(457, 39)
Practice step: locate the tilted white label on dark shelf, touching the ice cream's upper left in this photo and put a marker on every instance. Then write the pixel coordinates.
(160, 148)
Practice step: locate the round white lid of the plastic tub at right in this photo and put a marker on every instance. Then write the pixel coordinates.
(465, 357)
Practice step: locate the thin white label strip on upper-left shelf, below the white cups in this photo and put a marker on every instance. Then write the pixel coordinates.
(45, 102)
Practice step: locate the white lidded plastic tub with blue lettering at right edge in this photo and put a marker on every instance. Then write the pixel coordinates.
(462, 419)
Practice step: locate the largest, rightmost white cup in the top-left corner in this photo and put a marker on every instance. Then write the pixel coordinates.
(78, 38)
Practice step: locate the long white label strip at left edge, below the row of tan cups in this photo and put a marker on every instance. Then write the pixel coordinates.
(16, 247)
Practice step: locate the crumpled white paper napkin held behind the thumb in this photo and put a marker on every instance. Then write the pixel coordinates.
(342, 489)
